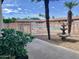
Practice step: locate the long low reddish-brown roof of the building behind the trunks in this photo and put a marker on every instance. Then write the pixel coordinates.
(51, 20)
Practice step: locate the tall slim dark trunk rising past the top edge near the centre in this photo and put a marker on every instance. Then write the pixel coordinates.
(46, 2)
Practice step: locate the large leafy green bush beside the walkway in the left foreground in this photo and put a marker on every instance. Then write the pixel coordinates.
(13, 42)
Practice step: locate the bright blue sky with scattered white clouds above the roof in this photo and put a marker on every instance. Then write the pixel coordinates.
(25, 8)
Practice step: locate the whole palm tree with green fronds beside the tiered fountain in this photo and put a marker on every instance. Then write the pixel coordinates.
(70, 5)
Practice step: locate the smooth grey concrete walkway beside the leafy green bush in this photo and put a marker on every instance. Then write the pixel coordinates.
(39, 49)
